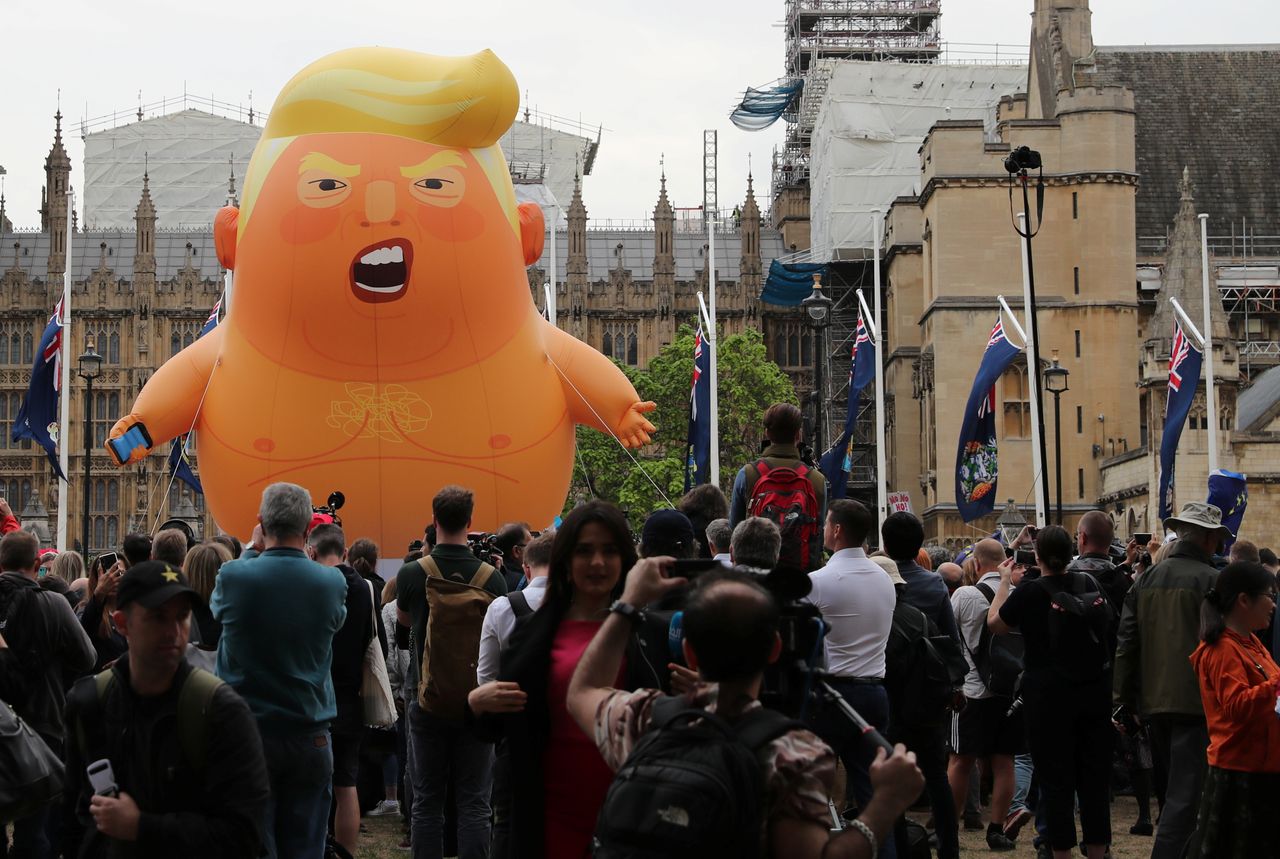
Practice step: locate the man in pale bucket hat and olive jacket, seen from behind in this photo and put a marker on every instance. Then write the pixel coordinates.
(1154, 679)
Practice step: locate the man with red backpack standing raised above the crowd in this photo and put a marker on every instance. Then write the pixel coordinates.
(780, 487)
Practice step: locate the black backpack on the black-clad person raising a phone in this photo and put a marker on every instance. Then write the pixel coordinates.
(1080, 618)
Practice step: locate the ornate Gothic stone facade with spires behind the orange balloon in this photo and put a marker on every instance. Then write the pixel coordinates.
(143, 295)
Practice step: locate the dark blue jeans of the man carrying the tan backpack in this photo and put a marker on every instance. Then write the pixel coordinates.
(440, 750)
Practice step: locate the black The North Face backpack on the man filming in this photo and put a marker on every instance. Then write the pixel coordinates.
(693, 787)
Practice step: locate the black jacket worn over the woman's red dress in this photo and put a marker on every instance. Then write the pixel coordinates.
(527, 661)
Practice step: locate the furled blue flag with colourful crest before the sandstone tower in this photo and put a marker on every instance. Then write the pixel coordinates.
(977, 462)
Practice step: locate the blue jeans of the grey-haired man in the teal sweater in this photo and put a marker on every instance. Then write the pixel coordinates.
(300, 767)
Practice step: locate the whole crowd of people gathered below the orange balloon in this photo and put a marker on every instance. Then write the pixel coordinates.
(588, 692)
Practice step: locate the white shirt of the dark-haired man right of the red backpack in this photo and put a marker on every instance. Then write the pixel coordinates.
(857, 601)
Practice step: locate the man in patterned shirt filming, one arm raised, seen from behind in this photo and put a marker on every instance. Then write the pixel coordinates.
(732, 637)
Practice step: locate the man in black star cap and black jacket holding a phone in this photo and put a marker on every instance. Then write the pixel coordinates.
(186, 761)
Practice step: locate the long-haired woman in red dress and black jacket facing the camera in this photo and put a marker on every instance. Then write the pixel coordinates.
(559, 776)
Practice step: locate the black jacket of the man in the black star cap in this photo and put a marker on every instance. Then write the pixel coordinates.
(218, 812)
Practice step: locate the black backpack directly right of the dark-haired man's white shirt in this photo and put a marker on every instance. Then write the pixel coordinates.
(922, 669)
